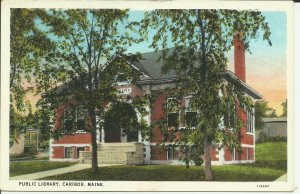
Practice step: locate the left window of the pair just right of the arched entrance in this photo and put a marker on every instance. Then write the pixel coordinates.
(173, 112)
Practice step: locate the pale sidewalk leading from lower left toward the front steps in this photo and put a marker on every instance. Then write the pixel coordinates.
(39, 175)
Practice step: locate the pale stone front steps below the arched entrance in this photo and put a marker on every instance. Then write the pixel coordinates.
(116, 153)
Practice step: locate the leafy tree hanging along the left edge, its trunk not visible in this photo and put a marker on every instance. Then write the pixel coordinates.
(28, 46)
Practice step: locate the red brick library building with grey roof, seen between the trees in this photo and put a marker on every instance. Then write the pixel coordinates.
(114, 147)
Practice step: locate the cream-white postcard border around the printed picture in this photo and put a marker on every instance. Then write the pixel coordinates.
(13, 185)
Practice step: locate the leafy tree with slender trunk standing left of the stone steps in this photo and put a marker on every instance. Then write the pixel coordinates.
(91, 51)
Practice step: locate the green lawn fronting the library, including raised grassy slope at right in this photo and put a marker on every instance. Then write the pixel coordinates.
(271, 164)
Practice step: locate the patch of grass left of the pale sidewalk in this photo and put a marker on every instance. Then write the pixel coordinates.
(28, 167)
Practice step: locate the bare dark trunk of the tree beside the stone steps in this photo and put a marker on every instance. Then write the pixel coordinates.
(94, 142)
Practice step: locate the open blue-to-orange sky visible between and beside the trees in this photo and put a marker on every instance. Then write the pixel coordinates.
(266, 67)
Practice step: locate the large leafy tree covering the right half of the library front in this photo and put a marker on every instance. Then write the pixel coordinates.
(200, 39)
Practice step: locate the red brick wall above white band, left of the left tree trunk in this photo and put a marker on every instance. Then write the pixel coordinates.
(83, 138)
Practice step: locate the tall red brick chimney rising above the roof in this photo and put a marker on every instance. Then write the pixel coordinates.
(239, 58)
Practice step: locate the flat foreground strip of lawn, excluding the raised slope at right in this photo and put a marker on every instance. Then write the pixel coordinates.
(172, 173)
